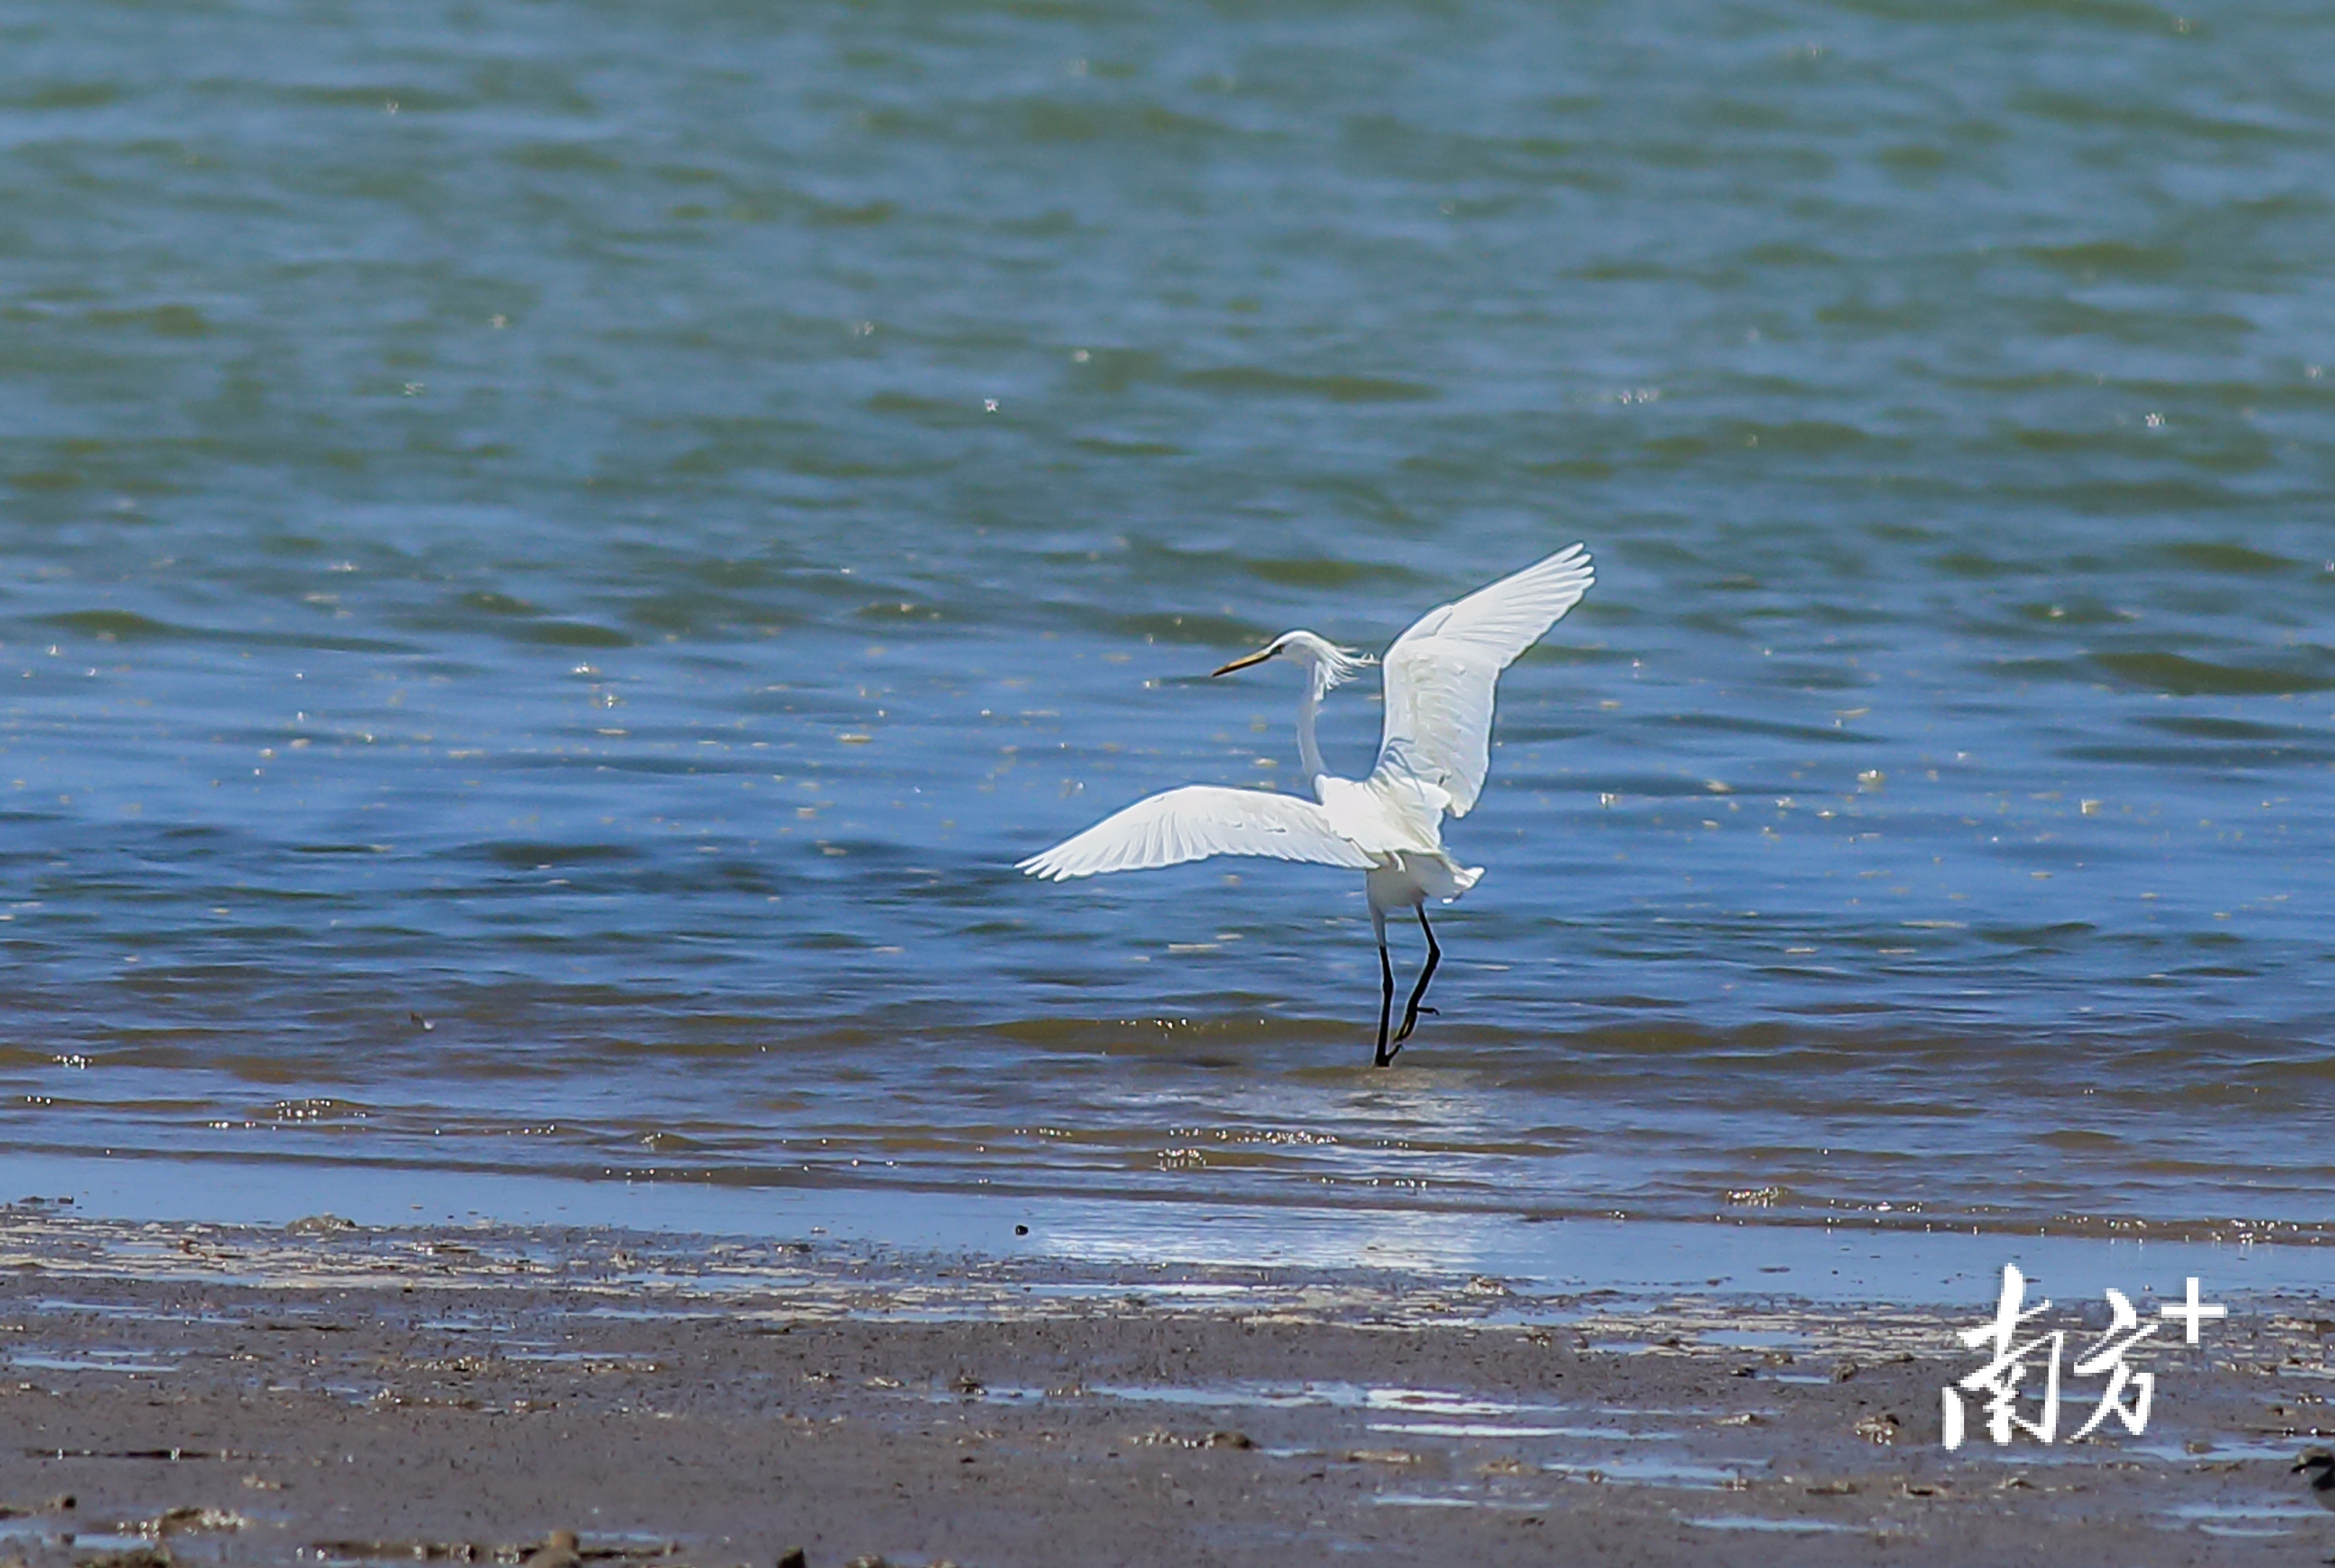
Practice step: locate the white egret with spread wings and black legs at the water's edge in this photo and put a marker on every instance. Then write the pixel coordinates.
(1433, 757)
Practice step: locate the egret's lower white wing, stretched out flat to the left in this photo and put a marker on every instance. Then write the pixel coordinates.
(1197, 822)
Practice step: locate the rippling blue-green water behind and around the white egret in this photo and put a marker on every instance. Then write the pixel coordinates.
(534, 650)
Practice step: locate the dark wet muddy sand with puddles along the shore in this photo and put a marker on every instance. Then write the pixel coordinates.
(323, 1394)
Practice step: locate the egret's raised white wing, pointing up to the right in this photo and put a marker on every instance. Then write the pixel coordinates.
(1444, 668)
